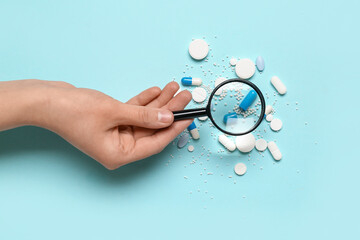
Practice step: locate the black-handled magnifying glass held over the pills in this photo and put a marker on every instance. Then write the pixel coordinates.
(236, 107)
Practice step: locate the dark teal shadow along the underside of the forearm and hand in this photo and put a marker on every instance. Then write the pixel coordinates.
(25, 141)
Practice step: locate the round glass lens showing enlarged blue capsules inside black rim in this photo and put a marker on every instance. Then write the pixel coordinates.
(236, 108)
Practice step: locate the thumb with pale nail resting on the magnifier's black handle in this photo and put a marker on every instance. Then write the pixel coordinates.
(146, 117)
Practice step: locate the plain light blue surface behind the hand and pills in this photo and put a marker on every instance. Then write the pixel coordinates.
(49, 190)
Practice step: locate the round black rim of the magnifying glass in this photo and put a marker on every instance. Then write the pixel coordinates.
(262, 99)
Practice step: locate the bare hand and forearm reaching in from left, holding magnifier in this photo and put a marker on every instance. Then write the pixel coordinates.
(111, 132)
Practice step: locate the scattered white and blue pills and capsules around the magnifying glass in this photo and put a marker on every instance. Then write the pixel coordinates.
(245, 69)
